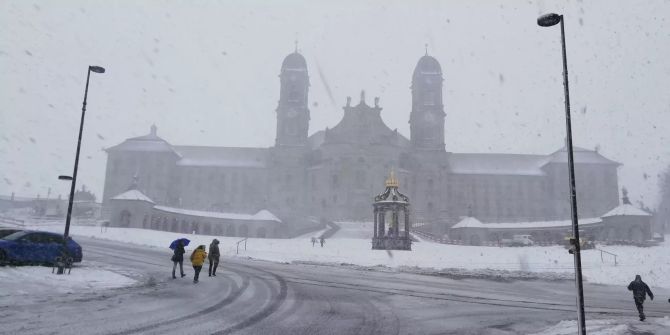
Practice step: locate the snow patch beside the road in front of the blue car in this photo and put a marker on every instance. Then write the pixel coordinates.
(39, 280)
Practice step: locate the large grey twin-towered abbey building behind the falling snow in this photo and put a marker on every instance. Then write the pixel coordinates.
(334, 173)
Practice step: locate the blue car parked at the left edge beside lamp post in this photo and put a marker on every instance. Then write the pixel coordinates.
(36, 247)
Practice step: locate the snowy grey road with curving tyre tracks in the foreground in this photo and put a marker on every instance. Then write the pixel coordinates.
(255, 297)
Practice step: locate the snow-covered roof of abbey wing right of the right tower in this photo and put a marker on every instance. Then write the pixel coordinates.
(497, 164)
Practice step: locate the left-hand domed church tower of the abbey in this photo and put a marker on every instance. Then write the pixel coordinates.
(293, 112)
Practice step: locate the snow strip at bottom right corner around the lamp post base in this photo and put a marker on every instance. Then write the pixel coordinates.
(612, 327)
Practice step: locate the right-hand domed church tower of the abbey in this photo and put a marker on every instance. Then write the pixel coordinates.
(427, 117)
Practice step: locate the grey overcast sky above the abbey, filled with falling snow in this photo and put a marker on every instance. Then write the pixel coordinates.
(206, 73)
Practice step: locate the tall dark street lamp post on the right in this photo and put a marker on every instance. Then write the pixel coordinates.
(549, 20)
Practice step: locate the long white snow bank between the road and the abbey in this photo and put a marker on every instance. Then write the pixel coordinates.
(349, 247)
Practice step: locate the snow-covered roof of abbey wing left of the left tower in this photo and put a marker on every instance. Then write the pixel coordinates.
(222, 156)
